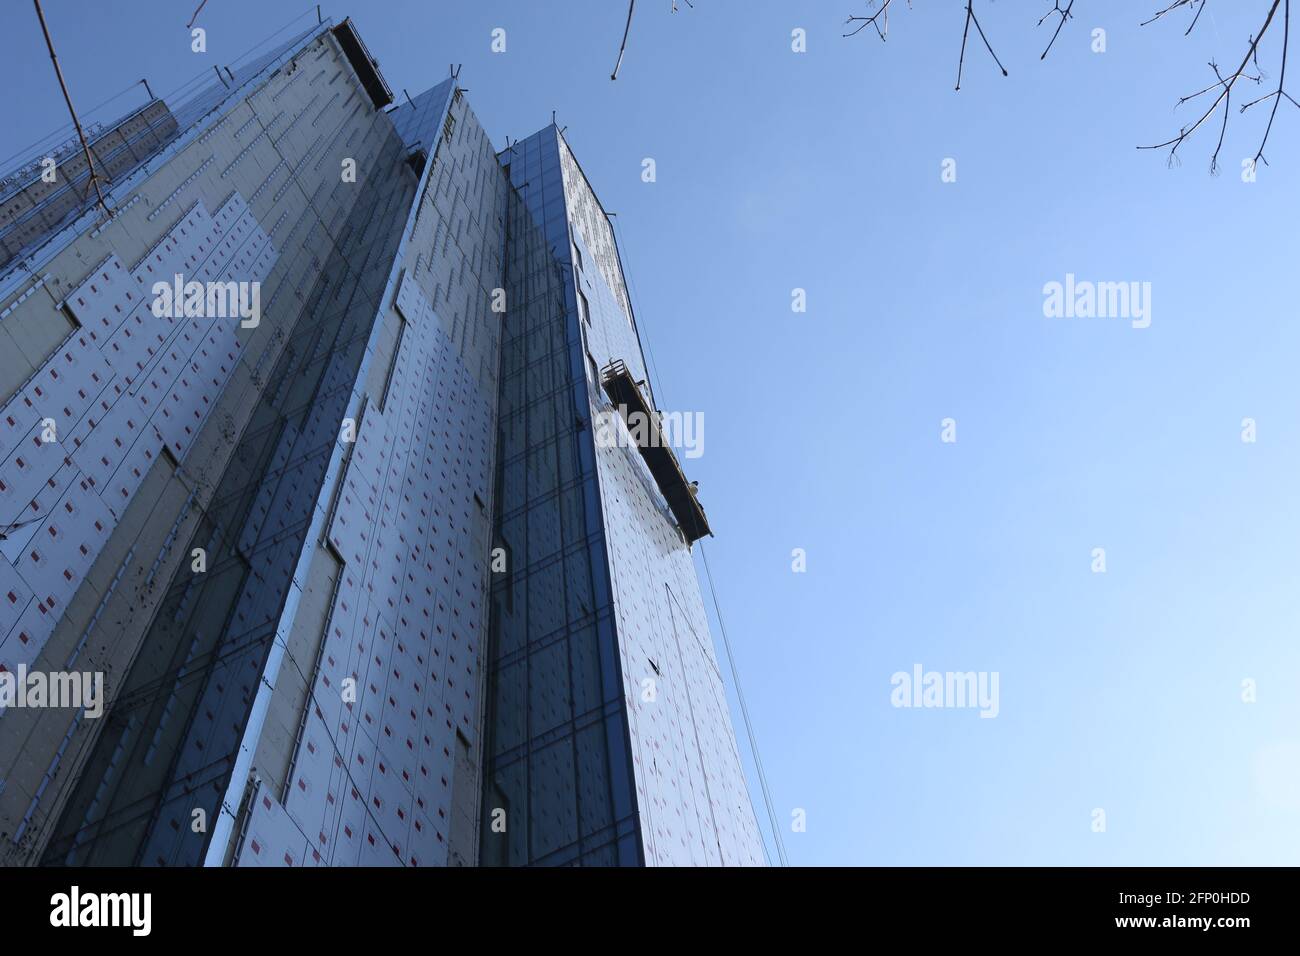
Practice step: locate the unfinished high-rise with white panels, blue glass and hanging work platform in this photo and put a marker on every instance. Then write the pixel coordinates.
(319, 449)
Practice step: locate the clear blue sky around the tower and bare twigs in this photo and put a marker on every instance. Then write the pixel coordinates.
(925, 301)
